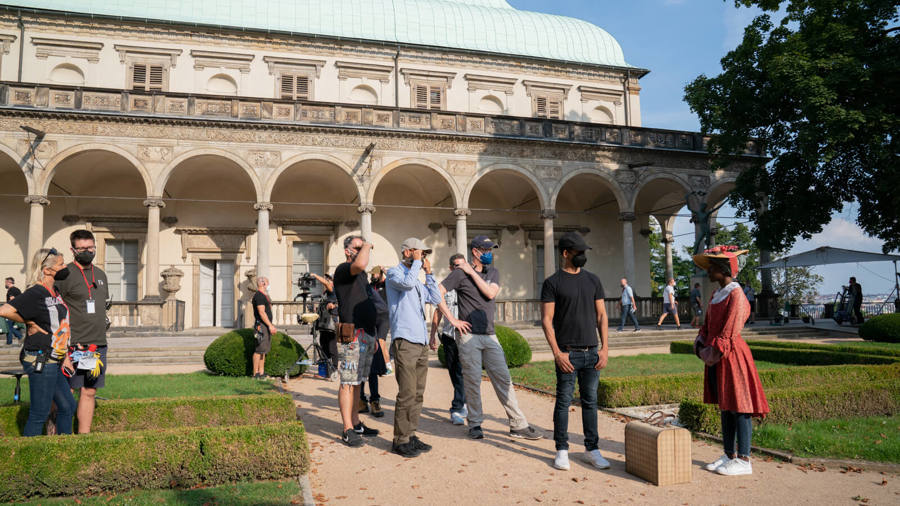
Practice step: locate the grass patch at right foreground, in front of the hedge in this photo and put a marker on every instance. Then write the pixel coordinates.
(874, 438)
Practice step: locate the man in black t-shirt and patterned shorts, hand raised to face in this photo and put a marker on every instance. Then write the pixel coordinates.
(355, 307)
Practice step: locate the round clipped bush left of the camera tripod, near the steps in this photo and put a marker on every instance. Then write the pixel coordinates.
(232, 355)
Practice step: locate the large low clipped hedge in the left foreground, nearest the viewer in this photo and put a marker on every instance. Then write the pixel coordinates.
(183, 458)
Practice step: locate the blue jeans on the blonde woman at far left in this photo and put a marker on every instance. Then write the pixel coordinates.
(46, 388)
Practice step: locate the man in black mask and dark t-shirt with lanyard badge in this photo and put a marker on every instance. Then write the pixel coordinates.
(85, 291)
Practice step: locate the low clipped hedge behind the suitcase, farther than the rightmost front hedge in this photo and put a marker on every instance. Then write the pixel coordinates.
(666, 389)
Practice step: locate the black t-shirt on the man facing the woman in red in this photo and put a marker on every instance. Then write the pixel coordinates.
(575, 315)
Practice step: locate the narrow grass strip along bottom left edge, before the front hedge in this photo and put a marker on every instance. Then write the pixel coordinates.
(256, 493)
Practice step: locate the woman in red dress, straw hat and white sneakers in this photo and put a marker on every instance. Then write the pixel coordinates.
(731, 380)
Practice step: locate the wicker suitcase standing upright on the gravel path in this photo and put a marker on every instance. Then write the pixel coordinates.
(658, 454)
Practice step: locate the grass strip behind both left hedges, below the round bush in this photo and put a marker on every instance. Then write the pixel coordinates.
(140, 386)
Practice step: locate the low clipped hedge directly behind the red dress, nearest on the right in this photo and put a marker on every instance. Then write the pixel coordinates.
(790, 405)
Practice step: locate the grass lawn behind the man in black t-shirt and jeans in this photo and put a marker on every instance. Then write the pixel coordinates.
(542, 375)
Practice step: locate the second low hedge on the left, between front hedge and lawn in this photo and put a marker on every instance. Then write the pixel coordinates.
(140, 414)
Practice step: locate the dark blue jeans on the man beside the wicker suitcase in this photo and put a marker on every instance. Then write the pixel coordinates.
(588, 378)
